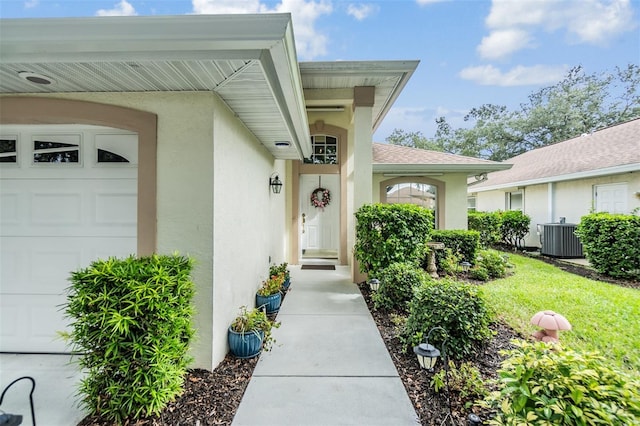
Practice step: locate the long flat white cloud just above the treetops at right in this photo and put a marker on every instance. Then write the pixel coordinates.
(488, 75)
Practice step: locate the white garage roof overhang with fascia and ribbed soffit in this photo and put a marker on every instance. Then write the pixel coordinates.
(248, 60)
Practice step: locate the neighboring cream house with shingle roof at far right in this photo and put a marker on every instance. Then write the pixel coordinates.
(594, 172)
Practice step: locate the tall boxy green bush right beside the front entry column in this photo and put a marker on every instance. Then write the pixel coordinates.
(390, 233)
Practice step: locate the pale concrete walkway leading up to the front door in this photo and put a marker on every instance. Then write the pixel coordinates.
(329, 365)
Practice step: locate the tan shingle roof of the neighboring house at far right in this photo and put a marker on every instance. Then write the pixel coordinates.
(599, 153)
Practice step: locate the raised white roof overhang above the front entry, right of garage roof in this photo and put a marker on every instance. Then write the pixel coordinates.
(388, 78)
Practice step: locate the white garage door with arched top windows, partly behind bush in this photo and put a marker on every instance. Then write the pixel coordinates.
(68, 196)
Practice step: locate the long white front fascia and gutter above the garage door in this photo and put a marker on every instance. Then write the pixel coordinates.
(140, 37)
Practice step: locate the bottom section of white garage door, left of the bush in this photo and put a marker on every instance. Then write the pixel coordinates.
(31, 323)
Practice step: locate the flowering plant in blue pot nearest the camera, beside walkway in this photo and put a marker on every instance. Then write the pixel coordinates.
(250, 332)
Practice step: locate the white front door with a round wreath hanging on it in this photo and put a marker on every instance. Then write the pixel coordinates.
(320, 231)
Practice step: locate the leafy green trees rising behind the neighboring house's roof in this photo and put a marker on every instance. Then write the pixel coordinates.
(579, 103)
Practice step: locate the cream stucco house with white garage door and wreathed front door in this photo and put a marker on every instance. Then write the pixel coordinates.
(138, 135)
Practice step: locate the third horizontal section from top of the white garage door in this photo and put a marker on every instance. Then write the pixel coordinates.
(43, 265)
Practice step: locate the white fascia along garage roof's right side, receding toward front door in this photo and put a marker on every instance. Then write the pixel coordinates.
(282, 72)
